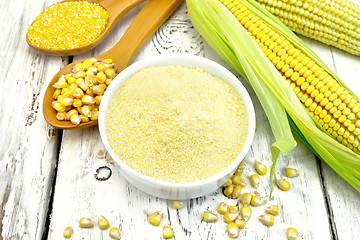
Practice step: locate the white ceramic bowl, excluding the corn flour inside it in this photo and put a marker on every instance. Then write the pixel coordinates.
(178, 190)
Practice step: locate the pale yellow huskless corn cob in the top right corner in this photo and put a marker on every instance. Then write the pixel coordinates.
(335, 23)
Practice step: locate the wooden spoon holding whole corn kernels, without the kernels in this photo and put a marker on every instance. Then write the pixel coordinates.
(154, 13)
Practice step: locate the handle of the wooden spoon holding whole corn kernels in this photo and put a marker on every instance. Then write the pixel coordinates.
(154, 13)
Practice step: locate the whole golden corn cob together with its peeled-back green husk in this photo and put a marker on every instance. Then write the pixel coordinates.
(298, 91)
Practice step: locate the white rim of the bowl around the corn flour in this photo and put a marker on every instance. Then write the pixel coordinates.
(187, 60)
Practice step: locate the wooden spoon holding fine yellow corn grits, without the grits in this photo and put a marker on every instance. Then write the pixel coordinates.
(116, 9)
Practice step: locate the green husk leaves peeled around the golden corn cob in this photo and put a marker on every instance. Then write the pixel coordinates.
(284, 111)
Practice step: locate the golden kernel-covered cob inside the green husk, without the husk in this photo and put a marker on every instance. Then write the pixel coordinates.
(328, 103)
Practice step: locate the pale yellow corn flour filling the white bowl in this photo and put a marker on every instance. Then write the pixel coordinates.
(176, 124)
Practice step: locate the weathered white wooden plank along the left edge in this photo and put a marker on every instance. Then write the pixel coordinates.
(28, 147)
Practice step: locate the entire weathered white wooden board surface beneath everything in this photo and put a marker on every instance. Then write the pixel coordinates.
(37, 160)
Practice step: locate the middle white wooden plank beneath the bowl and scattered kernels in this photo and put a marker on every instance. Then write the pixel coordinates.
(78, 194)
